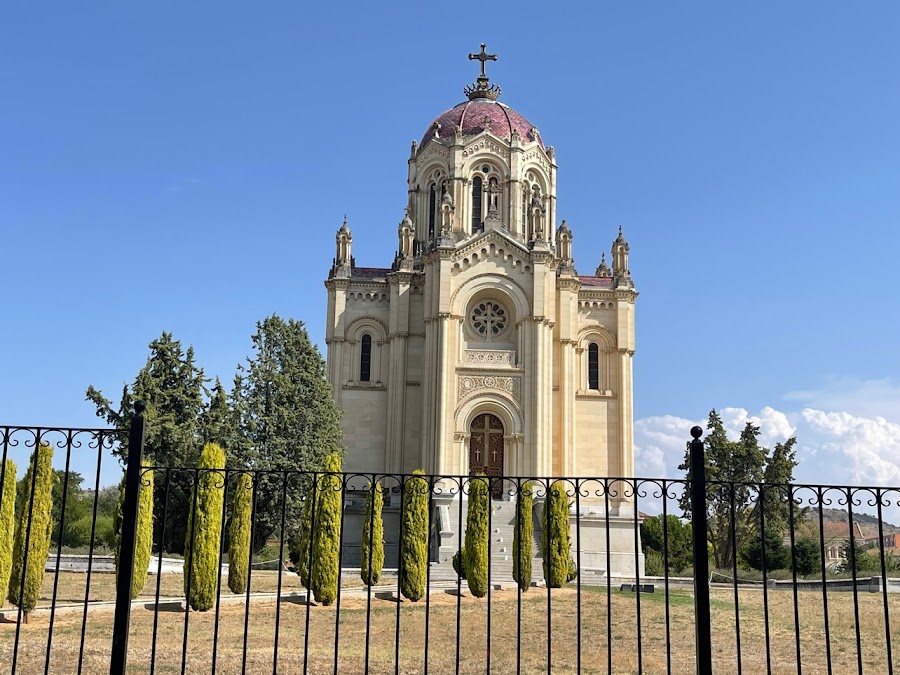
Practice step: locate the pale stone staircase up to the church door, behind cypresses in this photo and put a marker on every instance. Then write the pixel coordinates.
(502, 524)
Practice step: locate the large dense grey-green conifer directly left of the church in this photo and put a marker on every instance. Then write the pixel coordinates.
(288, 418)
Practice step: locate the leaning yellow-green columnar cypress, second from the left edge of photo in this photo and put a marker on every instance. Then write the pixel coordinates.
(35, 521)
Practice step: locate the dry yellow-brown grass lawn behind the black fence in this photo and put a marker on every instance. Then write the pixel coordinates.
(596, 650)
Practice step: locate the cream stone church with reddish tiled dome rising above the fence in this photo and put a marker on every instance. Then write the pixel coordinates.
(481, 349)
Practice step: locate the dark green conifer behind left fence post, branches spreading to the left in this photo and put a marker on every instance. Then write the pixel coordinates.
(171, 385)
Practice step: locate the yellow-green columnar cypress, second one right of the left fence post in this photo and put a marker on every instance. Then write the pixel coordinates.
(201, 556)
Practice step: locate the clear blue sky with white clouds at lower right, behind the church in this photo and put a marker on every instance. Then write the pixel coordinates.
(184, 166)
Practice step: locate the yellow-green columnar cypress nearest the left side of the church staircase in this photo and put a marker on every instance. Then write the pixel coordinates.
(414, 544)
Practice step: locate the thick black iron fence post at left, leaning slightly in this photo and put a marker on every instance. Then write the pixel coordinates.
(119, 655)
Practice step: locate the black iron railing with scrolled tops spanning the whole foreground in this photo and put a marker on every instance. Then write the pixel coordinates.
(796, 577)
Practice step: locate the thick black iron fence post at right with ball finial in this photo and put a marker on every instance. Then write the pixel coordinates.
(703, 635)
